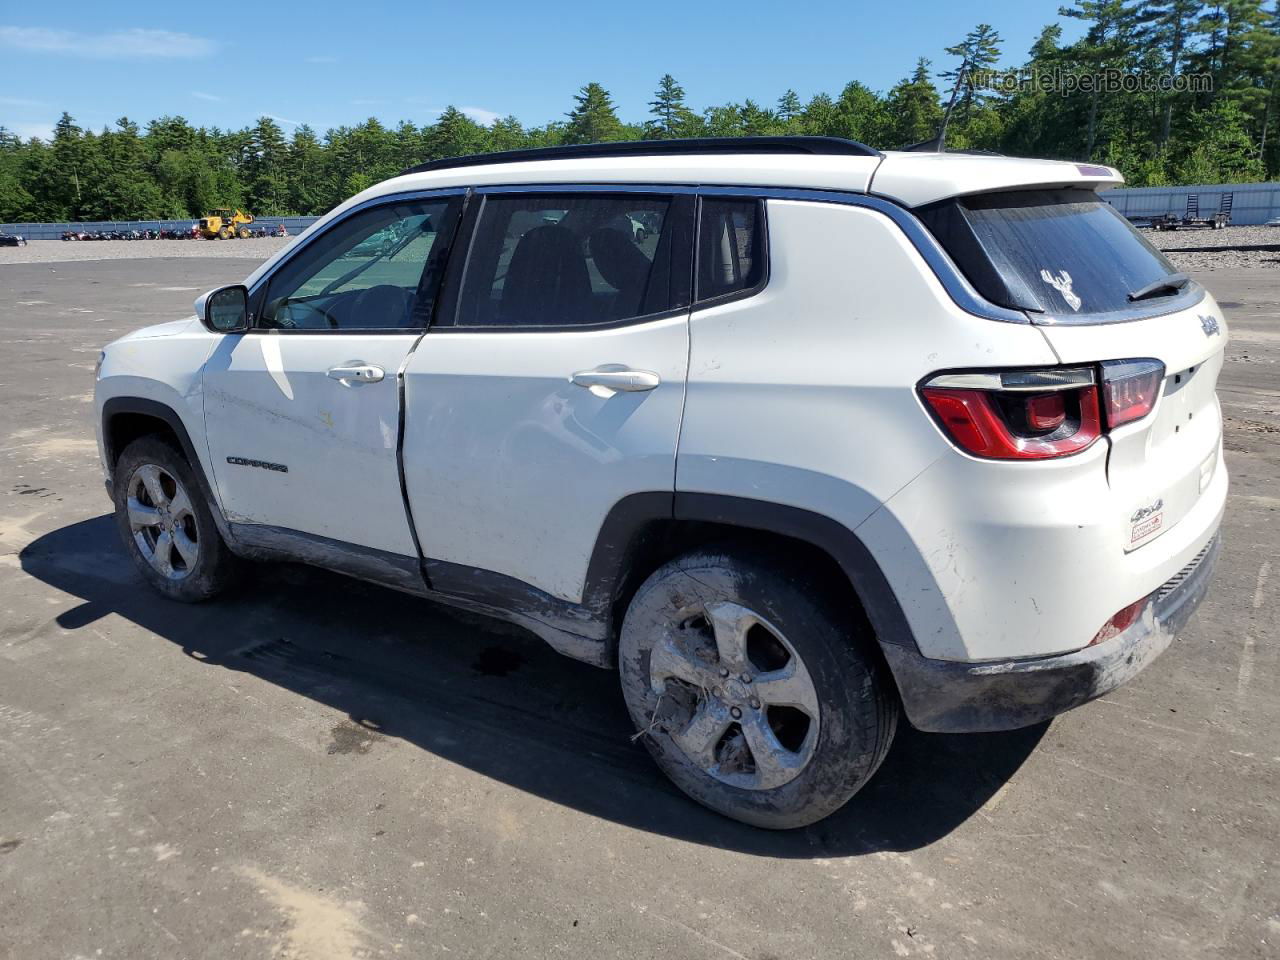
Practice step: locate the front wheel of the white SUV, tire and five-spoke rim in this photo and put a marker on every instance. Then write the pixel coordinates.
(158, 510)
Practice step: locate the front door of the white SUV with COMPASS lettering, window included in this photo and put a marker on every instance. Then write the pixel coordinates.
(303, 413)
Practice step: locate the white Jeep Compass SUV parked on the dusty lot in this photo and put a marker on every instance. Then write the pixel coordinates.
(839, 435)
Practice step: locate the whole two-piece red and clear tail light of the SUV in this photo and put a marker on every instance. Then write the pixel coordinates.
(1041, 414)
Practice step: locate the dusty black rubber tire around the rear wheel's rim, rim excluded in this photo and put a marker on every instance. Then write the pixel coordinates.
(857, 702)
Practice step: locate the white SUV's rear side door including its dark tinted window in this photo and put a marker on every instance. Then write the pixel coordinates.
(554, 387)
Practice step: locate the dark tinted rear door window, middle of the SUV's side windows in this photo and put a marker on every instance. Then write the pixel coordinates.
(573, 260)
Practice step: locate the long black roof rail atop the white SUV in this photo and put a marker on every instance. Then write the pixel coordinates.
(820, 147)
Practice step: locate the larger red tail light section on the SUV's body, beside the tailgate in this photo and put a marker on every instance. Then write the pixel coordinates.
(1018, 415)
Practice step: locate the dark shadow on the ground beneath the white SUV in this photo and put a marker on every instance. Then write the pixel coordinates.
(496, 700)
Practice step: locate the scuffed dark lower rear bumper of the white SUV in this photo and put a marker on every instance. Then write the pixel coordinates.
(949, 697)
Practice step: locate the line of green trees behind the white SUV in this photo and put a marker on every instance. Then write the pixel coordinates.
(1168, 92)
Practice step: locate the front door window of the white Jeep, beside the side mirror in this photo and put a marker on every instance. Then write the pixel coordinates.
(378, 269)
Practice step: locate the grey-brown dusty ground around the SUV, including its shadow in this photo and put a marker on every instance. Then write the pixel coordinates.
(318, 769)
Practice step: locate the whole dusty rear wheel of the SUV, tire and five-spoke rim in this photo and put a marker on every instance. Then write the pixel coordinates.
(788, 653)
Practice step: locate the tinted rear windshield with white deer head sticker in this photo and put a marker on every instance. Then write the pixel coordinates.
(1062, 253)
